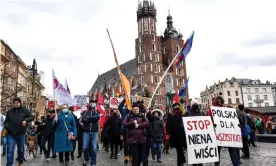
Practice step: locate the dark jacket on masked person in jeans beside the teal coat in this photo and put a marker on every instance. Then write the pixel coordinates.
(90, 120)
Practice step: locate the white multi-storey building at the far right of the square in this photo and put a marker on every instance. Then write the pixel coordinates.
(257, 94)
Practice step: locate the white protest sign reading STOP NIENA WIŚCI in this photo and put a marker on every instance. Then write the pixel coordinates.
(201, 140)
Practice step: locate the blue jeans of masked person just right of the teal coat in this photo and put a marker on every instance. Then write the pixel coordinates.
(90, 142)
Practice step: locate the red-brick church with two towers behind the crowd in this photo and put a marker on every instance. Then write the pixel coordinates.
(153, 55)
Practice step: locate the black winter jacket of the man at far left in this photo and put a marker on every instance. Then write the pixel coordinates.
(14, 119)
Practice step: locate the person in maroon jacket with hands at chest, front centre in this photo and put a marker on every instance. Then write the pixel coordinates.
(136, 124)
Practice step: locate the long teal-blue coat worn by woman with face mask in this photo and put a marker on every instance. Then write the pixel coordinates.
(62, 143)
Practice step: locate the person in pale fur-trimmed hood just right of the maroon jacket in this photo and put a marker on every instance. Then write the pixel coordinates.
(157, 134)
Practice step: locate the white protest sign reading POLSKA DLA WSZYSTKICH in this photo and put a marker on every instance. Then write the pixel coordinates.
(227, 128)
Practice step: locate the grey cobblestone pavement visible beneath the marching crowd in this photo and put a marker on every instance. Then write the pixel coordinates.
(263, 155)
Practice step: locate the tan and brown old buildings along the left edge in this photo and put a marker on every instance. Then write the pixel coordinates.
(16, 79)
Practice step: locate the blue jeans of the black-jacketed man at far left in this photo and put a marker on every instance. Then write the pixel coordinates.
(11, 141)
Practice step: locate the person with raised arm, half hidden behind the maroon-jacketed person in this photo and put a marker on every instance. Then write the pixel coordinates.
(124, 111)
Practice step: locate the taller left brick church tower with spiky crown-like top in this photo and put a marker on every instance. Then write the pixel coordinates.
(148, 48)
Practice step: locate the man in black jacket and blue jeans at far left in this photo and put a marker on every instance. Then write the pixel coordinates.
(15, 124)
